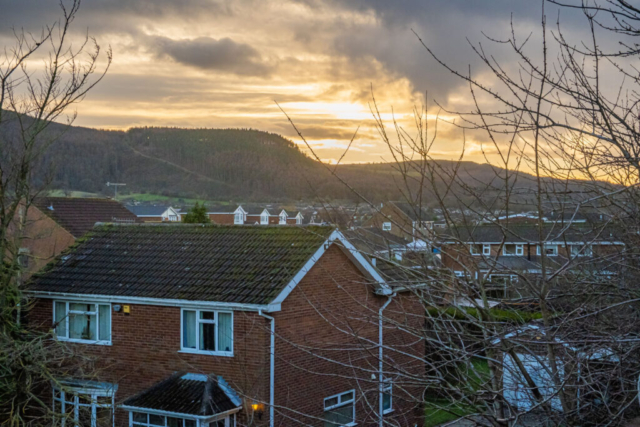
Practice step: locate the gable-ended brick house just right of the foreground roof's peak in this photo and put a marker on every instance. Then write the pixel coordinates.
(402, 219)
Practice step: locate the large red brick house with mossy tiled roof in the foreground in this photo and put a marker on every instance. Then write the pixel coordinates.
(230, 325)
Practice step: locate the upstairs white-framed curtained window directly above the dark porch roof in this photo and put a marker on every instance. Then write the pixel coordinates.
(209, 332)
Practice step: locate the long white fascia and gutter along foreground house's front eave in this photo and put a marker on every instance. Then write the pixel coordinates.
(122, 299)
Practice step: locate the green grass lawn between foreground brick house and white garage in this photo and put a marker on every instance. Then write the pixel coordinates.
(440, 411)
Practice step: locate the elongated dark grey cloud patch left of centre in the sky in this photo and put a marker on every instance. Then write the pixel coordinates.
(210, 54)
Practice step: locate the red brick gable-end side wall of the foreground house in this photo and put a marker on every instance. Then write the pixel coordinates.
(334, 295)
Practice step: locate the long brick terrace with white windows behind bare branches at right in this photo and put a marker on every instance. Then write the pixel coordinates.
(503, 255)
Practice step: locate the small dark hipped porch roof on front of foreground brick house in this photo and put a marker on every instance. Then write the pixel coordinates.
(190, 394)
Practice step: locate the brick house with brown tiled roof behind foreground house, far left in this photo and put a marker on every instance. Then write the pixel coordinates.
(54, 223)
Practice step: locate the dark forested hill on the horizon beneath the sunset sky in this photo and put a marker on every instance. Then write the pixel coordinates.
(216, 164)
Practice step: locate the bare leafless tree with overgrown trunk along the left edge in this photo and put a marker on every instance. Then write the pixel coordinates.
(31, 101)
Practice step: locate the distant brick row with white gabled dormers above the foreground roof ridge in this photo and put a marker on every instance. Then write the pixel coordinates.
(253, 215)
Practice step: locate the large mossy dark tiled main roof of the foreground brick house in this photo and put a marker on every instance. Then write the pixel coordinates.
(235, 264)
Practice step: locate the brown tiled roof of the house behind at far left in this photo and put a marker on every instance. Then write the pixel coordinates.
(79, 215)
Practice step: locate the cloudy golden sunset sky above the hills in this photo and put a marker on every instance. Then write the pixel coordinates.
(225, 63)
